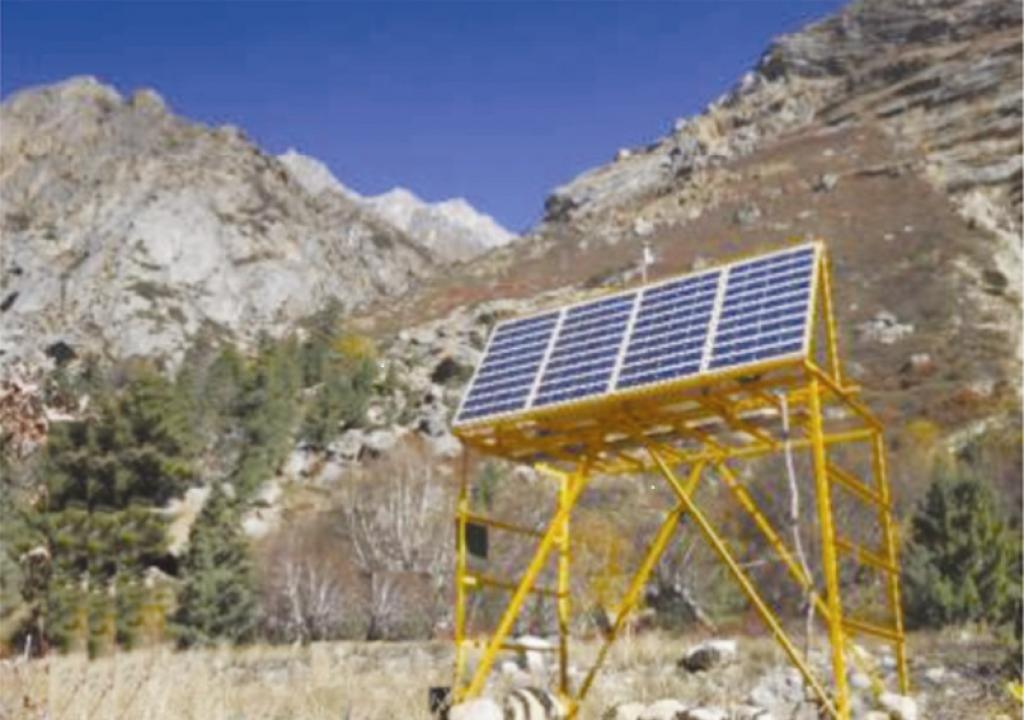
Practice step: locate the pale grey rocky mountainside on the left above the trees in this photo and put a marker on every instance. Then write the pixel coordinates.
(129, 231)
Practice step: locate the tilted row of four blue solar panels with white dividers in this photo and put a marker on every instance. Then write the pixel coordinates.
(716, 320)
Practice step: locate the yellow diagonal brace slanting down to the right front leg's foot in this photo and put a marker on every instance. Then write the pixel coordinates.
(718, 545)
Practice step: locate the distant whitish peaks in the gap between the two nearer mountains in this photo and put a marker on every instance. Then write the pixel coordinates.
(452, 229)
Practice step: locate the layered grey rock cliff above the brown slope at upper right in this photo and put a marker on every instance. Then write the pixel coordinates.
(941, 76)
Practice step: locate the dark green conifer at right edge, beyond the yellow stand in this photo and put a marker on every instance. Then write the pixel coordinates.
(961, 565)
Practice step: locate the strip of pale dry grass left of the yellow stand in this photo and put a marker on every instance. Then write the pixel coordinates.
(348, 682)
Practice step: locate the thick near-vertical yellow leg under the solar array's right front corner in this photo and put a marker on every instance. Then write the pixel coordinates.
(830, 566)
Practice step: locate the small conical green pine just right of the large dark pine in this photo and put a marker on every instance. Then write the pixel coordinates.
(218, 602)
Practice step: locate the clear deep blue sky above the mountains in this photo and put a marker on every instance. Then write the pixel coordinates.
(498, 103)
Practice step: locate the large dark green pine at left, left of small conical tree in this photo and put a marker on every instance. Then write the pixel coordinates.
(107, 477)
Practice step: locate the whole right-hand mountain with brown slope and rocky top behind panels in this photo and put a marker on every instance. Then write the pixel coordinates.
(891, 131)
